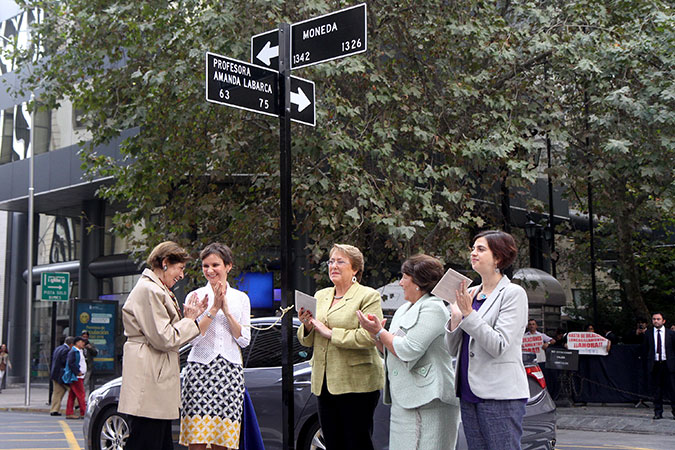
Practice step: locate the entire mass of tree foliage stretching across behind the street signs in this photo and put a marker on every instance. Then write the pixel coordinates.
(414, 140)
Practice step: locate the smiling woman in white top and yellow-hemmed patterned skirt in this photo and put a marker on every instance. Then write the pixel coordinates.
(213, 381)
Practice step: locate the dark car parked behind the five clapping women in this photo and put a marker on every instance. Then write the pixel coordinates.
(106, 429)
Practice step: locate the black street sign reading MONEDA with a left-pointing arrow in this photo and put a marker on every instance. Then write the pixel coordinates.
(324, 38)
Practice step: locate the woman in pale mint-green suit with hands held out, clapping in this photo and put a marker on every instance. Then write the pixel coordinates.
(420, 379)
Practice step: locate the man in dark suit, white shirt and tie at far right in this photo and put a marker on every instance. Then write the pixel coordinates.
(659, 349)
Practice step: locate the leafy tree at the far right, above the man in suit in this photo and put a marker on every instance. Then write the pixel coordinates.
(616, 79)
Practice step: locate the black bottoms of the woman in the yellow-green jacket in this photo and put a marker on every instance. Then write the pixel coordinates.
(347, 419)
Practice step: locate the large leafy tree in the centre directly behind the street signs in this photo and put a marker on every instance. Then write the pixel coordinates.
(434, 114)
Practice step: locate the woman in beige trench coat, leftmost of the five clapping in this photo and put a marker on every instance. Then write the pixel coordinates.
(155, 330)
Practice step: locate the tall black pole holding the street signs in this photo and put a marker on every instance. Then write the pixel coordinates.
(287, 415)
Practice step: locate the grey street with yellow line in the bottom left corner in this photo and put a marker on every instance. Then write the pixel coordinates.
(36, 431)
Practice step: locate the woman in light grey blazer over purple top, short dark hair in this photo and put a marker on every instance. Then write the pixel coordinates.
(485, 334)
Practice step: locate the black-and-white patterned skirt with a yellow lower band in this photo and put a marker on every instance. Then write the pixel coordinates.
(212, 398)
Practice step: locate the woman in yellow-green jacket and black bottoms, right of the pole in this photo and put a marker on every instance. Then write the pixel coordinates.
(347, 372)
